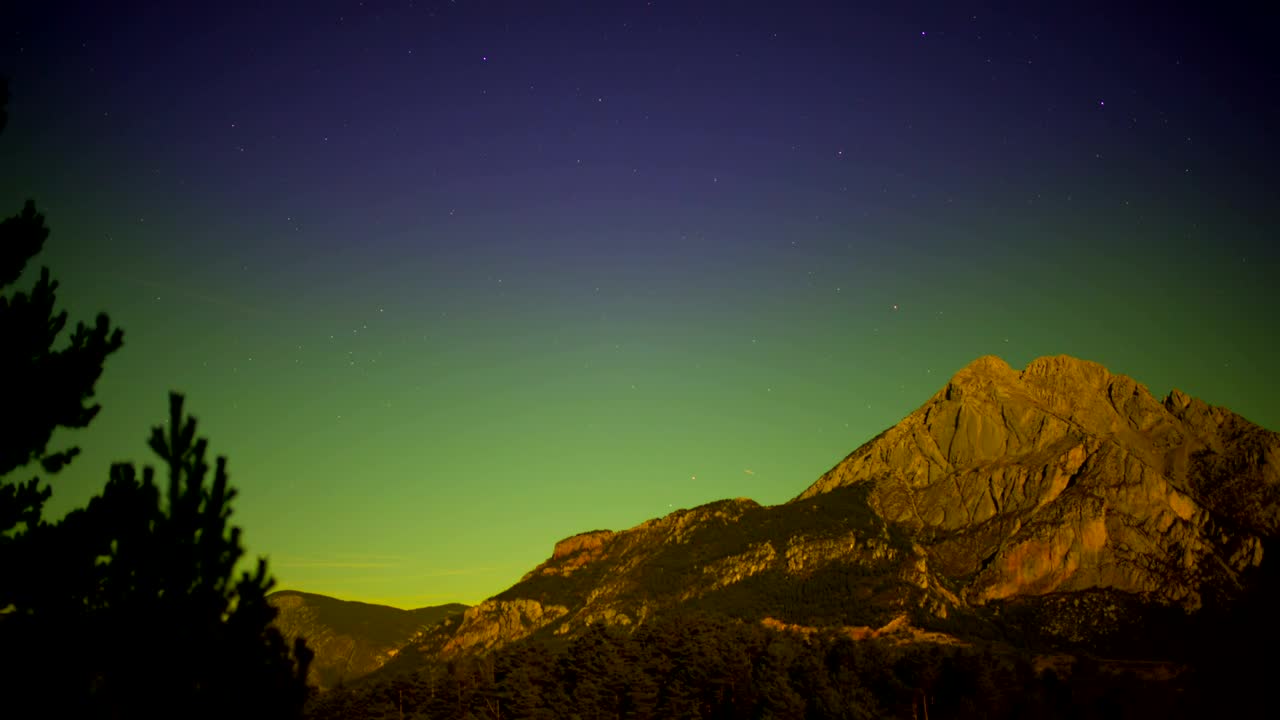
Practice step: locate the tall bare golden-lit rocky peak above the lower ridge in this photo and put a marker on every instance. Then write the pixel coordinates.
(1067, 477)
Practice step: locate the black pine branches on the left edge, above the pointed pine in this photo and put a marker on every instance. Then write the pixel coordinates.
(43, 388)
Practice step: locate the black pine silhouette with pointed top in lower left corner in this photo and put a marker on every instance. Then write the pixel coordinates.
(141, 614)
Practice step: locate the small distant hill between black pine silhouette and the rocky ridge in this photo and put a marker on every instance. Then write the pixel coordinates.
(351, 639)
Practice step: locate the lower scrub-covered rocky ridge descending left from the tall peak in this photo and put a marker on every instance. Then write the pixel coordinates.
(729, 554)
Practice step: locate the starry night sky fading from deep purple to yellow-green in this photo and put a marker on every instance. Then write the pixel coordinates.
(451, 281)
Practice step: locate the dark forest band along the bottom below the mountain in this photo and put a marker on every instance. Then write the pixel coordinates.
(714, 668)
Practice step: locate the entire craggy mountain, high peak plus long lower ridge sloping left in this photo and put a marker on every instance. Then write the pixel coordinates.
(1060, 504)
